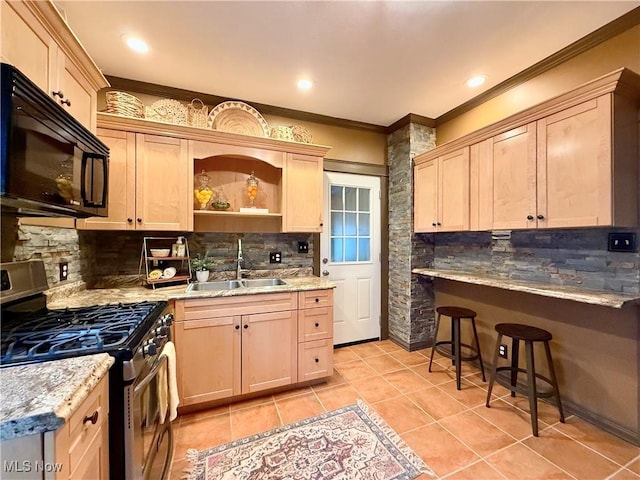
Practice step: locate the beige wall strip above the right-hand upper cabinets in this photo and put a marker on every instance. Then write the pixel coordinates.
(620, 51)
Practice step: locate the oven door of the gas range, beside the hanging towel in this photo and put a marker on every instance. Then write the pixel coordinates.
(152, 440)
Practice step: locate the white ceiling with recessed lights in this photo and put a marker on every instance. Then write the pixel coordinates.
(371, 61)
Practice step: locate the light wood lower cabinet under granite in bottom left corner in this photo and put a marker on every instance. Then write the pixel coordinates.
(79, 450)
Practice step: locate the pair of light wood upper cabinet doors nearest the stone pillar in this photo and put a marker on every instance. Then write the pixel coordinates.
(441, 192)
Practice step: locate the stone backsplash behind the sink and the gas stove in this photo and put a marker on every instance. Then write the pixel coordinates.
(96, 255)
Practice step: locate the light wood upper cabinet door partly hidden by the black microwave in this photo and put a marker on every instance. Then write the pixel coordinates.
(122, 180)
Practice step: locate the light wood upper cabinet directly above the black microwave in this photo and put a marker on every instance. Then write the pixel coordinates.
(37, 41)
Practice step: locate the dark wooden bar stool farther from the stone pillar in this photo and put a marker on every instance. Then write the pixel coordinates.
(529, 335)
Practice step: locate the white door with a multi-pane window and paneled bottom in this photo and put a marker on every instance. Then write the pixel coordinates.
(350, 254)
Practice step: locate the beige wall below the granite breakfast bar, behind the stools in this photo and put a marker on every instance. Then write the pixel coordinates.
(595, 349)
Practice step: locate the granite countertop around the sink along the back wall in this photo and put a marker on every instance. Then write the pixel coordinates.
(137, 294)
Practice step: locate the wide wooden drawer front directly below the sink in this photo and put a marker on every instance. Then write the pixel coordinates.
(197, 308)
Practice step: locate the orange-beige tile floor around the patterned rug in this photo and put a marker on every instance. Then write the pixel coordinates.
(453, 431)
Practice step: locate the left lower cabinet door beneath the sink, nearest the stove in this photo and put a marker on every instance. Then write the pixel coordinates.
(208, 359)
